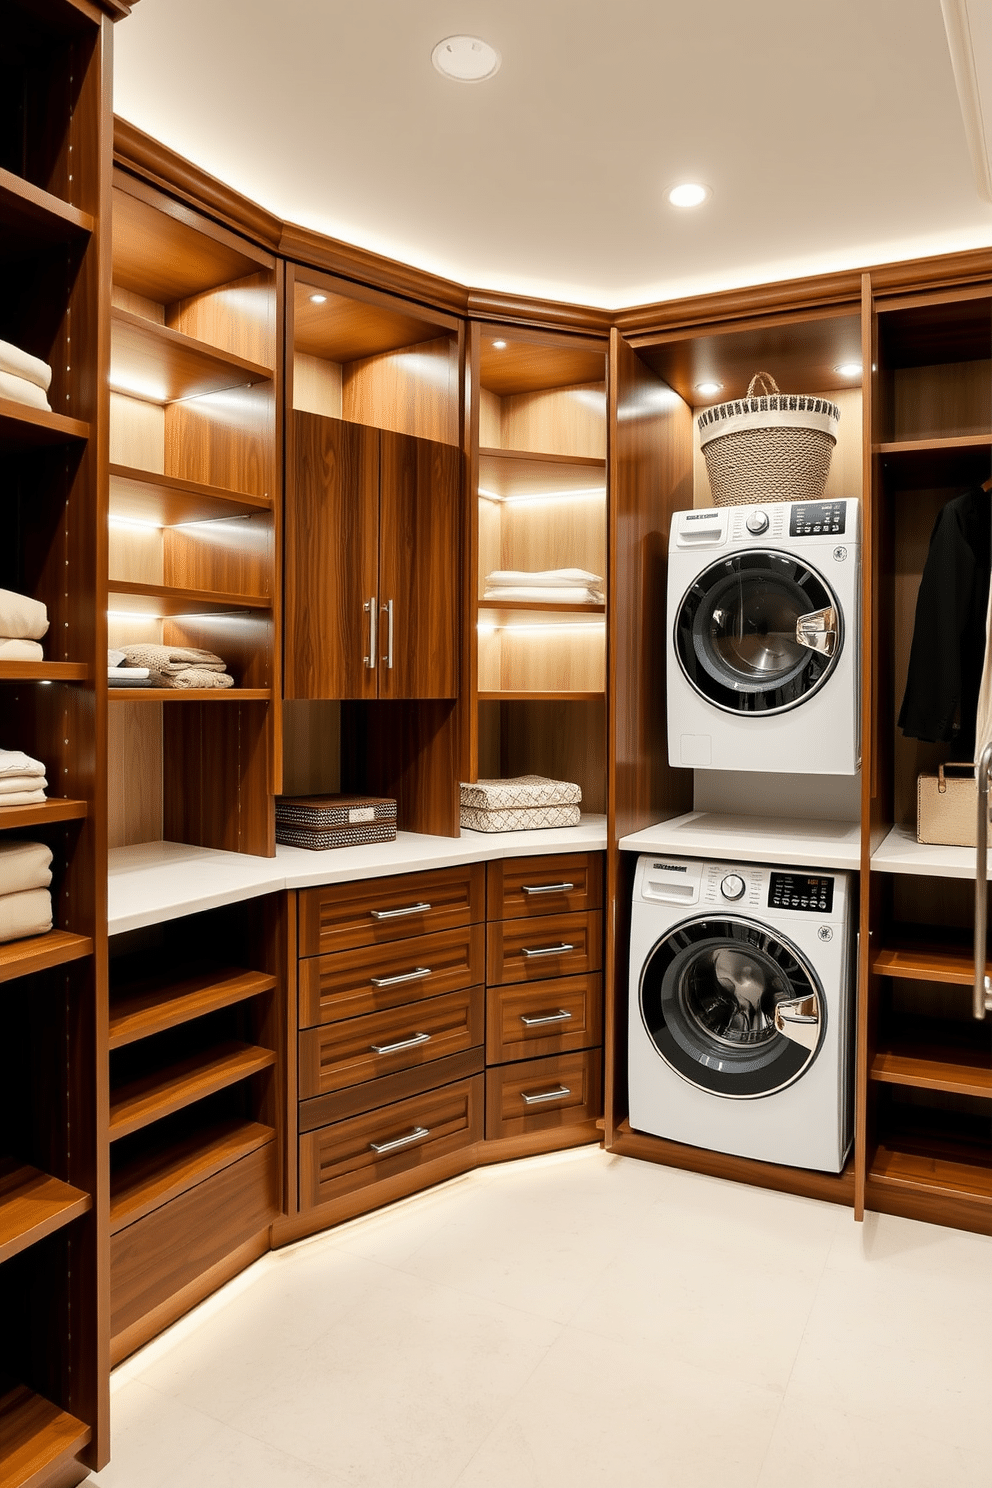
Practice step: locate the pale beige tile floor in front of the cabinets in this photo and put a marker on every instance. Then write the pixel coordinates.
(576, 1322)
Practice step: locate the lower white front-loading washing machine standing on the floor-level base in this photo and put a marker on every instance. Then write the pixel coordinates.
(740, 1010)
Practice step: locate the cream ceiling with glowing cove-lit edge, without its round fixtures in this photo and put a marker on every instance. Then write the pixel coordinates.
(831, 135)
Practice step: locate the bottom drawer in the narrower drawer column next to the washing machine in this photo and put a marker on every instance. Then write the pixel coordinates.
(564, 1090)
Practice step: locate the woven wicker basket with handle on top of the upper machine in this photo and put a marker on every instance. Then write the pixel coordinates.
(770, 446)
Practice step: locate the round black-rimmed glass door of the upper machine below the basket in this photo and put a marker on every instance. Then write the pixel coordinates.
(758, 633)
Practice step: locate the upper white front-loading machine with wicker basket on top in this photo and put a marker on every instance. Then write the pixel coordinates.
(764, 638)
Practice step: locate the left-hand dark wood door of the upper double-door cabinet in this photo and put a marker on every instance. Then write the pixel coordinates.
(332, 535)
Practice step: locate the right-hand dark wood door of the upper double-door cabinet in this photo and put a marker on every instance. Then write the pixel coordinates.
(420, 490)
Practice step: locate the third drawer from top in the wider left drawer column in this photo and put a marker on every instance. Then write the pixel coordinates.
(343, 1054)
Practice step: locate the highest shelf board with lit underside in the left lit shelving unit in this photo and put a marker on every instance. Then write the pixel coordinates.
(158, 365)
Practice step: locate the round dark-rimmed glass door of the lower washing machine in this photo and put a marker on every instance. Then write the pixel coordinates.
(732, 1008)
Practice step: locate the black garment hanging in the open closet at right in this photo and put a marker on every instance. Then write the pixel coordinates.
(948, 652)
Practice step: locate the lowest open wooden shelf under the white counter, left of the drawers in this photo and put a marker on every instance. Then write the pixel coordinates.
(166, 1173)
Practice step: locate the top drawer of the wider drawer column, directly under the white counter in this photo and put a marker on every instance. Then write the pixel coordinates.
(341, 917)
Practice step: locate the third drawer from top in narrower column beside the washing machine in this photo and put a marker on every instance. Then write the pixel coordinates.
(535, 1019)
